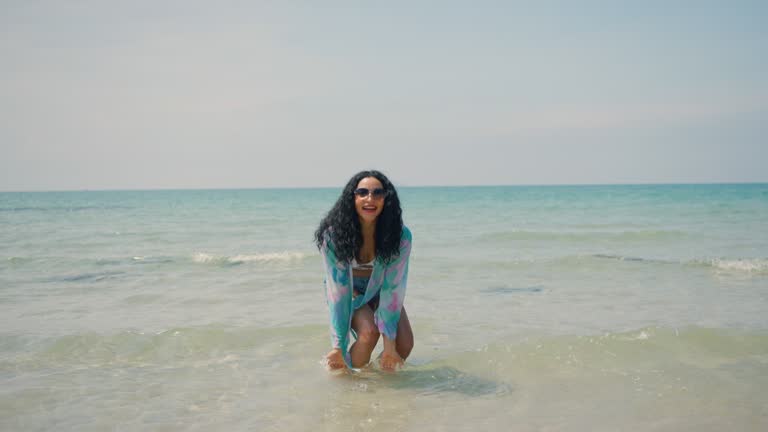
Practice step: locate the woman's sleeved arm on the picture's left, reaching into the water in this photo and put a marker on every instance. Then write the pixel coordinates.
(338, 291)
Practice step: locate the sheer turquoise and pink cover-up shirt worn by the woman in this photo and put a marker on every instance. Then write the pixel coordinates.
(389, 280)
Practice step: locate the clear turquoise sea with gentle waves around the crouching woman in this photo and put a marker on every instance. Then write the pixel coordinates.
(534, 308)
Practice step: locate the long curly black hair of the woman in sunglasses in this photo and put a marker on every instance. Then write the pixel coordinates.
(343, 225)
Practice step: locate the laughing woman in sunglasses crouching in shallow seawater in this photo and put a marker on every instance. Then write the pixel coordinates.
(365, 249)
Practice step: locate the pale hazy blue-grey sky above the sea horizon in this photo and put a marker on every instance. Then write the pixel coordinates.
(251, 94)
